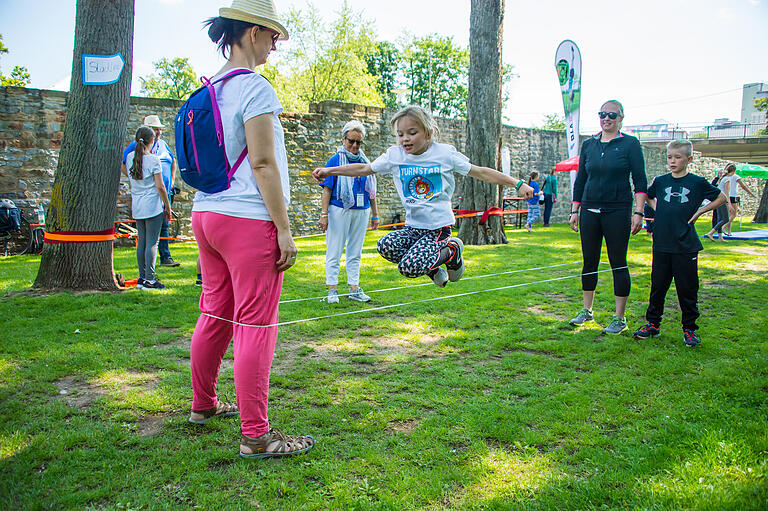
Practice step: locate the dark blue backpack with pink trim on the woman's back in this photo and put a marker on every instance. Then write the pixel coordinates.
(202, 157)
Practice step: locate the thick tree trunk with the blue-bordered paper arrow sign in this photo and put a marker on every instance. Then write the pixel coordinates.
(85, 187)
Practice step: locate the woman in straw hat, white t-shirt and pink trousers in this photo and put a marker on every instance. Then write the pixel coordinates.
(244, 237)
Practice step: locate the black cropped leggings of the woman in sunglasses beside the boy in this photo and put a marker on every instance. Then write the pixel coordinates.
(614, 225)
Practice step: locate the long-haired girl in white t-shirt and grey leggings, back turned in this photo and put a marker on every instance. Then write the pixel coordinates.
(149, 205)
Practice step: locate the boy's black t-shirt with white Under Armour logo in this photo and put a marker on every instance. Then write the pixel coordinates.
(677, 199)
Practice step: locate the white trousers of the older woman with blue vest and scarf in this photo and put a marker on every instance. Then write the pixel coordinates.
(344, 227)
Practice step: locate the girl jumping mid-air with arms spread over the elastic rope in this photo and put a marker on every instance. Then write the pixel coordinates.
(422, 169)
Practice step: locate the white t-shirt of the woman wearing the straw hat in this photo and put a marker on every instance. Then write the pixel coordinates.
(241, 98)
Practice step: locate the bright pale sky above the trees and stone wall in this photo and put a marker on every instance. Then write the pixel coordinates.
(681, 60)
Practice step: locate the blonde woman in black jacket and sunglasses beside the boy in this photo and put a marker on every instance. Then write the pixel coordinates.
(603, 208)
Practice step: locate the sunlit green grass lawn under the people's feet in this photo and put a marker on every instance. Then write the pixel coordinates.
(482, 401)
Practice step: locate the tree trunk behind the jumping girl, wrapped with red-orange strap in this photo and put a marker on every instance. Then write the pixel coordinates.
(483, 121)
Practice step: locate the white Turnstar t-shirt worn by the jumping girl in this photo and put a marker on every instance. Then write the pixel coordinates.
(425, 182)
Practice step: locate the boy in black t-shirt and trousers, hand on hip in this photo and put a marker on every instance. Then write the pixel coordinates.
(676, 197)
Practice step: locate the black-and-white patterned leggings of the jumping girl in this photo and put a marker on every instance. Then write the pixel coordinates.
(416, 251)
